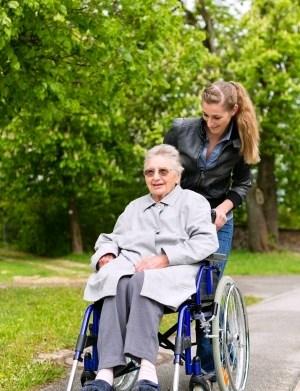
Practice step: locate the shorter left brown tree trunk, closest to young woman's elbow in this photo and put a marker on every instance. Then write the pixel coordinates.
(257, 228)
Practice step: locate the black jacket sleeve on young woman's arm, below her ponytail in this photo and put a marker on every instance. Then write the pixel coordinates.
(241, 183)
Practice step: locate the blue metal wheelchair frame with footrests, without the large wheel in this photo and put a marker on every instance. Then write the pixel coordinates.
(198, 308)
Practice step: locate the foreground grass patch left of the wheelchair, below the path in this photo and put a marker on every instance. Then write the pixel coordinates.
(34, 321)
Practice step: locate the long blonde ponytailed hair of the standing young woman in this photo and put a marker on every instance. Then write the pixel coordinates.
(229, 94)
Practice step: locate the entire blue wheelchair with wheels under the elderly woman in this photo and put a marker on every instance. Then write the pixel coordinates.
(217, 310)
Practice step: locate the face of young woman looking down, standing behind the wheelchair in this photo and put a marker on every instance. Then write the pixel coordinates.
(216, 118)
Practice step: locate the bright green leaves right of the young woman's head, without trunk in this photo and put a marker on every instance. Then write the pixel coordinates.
(265, 59)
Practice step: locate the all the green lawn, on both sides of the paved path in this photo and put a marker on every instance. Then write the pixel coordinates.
(37, 320)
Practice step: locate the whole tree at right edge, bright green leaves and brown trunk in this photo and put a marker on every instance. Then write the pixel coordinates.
(267, 62)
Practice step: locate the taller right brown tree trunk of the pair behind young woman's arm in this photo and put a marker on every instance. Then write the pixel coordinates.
(266, 181)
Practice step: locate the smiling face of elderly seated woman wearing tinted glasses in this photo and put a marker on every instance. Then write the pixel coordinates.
(160, 176)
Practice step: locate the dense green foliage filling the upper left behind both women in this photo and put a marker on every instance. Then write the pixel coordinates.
(84, 88)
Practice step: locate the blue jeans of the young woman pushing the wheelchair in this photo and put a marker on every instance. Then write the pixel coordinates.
(204, 348)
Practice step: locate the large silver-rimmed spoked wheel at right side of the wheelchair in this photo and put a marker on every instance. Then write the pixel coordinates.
(231, 342)
